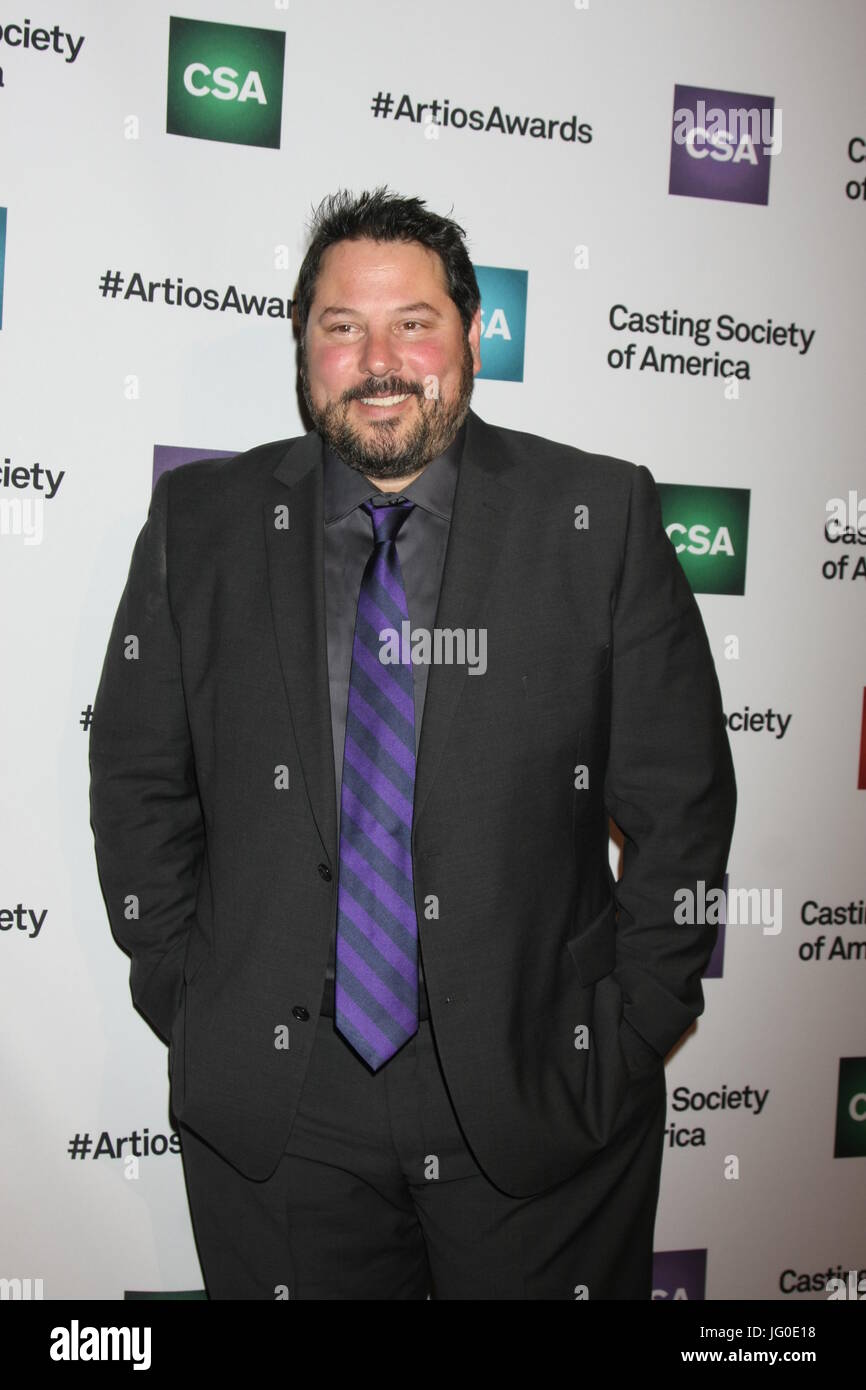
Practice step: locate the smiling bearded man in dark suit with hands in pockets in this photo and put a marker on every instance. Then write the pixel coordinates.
(369, 703)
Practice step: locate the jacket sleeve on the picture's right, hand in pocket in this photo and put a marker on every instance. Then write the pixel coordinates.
(669, 785)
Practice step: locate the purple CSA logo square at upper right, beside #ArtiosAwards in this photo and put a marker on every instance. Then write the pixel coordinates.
(722, 145)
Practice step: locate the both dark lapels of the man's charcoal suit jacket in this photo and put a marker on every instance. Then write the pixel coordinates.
(483, 502)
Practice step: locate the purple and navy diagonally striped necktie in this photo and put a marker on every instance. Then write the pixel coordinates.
(377, 932)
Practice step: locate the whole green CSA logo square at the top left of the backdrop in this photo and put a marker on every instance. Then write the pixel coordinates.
(224, 83)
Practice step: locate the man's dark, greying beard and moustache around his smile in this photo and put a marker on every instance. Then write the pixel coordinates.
(383, 455)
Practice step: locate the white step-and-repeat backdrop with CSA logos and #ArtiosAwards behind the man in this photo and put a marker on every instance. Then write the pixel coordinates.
(667, 206)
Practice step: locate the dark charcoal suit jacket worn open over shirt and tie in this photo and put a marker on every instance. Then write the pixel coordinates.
(213, 797)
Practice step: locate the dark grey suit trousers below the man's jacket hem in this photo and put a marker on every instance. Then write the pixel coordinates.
(379, 1197)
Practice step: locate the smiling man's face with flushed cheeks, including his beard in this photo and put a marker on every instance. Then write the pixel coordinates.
(386, 366)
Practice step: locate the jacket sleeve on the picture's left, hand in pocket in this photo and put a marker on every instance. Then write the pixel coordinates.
(145, 811)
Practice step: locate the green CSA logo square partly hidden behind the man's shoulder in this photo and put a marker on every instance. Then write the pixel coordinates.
(710, 530)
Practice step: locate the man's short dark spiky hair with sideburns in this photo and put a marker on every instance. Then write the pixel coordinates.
(386, 218)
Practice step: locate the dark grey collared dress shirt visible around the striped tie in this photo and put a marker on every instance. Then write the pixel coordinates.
(422, 546)
